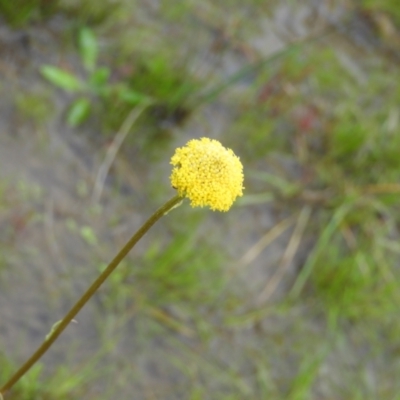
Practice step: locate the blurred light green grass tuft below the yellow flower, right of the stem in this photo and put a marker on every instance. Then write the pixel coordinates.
(168, 275)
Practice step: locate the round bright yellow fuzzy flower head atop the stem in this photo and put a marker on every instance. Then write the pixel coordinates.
(208, 174)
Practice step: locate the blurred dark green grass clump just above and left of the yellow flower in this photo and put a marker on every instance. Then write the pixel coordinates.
(166, 86)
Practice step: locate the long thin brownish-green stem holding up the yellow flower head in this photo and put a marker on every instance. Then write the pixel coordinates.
(61, 325)
